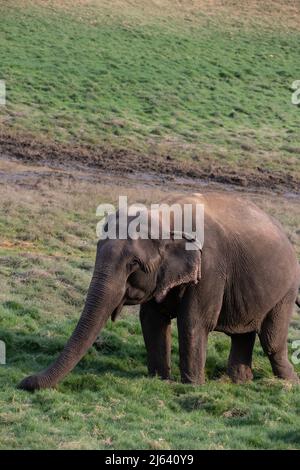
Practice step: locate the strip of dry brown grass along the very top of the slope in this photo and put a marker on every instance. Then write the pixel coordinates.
(267, 13)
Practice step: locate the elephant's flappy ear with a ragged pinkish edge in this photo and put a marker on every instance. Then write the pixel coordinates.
(179, 266)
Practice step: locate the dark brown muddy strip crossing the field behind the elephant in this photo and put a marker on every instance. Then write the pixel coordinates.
(123, 161)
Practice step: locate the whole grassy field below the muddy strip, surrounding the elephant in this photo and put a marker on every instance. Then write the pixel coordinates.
(47, 249)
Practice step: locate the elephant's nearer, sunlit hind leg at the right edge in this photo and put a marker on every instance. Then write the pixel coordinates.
(273, 338)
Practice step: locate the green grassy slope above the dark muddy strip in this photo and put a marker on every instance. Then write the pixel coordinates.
(199, 89)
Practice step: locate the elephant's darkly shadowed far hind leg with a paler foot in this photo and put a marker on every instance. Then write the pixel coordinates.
(240, 357)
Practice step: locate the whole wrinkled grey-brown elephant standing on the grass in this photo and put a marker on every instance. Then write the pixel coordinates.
(244, 282)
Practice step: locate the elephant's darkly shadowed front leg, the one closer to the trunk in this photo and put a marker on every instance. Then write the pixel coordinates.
(157, 335)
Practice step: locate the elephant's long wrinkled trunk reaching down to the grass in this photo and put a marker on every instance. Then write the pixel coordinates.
(100, 303)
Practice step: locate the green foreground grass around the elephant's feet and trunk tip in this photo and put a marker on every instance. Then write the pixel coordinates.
(108, 402)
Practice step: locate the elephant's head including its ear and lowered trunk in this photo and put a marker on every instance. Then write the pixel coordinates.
(126, 272)
